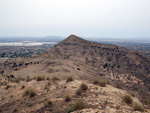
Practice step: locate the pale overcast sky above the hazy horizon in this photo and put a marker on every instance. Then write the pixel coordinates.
(87, 18)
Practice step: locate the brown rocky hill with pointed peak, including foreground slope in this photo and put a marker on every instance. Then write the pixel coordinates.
(84, 61)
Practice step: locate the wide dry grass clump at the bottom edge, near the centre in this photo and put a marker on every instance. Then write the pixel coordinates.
(78, 105)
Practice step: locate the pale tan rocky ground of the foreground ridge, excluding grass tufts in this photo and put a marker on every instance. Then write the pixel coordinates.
(50, 97)
